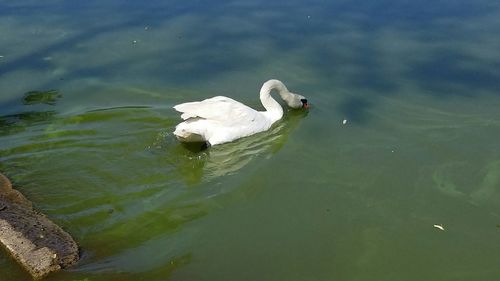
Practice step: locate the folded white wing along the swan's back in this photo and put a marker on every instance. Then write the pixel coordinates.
(217, 108)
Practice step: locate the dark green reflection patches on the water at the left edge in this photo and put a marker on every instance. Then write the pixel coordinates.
(18, 122)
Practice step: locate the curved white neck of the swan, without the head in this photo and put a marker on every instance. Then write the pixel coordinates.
(273, 109)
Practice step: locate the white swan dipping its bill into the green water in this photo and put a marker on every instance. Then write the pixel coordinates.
(221, 119)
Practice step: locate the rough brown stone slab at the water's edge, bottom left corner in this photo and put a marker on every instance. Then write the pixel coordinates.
(38, 244)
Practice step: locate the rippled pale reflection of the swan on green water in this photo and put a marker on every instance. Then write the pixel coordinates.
(195, 164)
